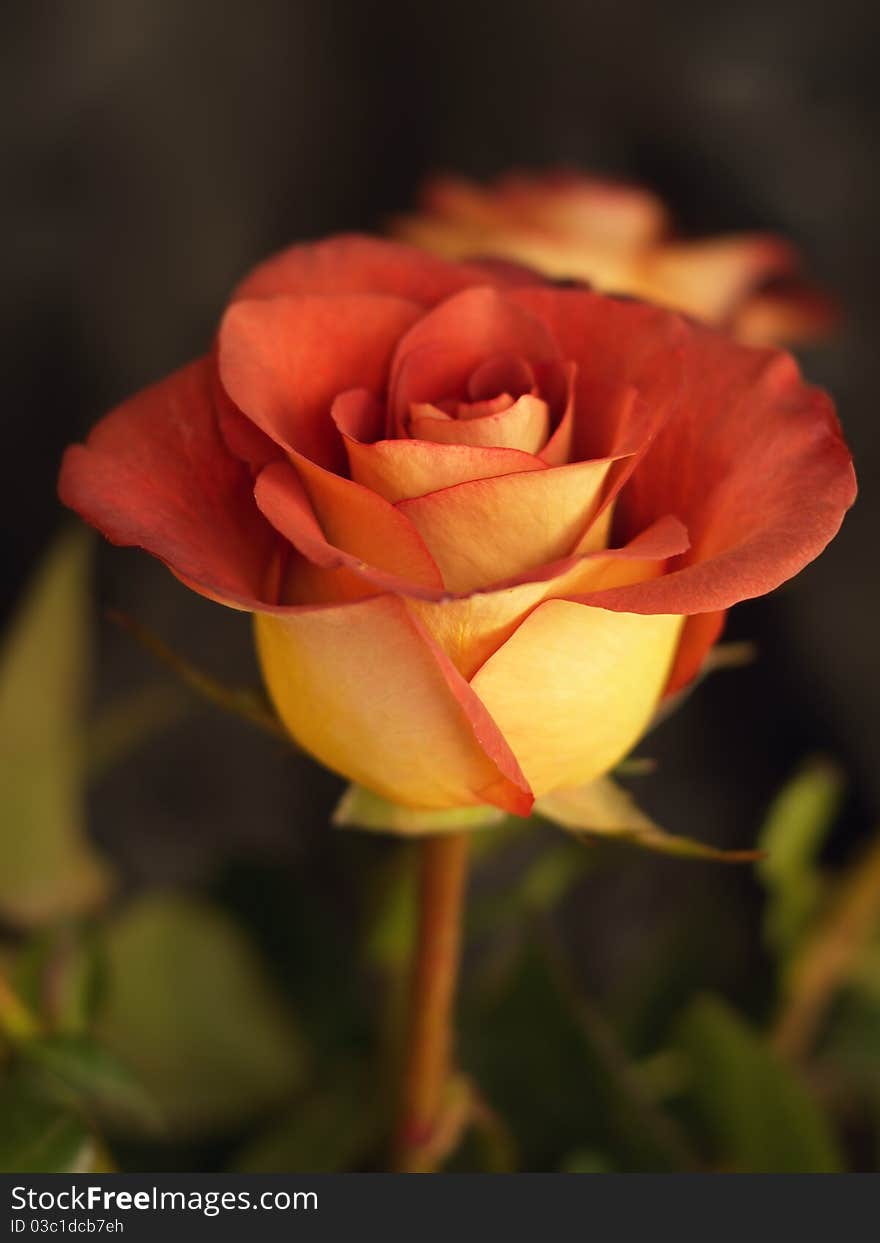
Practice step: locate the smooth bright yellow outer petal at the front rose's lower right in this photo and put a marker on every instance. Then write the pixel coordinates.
(575, 688)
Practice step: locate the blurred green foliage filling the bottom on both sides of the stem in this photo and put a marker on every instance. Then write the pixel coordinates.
(258, 1027)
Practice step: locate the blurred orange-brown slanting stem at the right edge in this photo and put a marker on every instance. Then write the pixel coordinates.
(831, 955)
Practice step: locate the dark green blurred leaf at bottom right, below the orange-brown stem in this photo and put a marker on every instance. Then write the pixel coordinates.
(755, 1111)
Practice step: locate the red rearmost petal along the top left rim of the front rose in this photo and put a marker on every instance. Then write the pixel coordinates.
(354, 264)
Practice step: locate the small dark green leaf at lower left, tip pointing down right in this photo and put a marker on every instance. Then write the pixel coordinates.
(93, 1081)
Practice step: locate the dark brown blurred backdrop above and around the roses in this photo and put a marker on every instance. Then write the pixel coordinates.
(155, 150)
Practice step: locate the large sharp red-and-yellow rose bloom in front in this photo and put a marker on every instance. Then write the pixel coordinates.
(484, 524)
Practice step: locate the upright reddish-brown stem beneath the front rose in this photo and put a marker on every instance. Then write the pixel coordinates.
(443, 869)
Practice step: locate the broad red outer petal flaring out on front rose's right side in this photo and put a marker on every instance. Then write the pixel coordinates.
(755, 466)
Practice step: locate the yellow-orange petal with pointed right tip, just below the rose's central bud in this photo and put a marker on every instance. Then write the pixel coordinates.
(495, 529)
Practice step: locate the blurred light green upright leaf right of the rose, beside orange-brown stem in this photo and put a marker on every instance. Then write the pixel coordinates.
(792, 837)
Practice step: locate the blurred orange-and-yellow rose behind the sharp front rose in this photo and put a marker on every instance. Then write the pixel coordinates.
(618, 238)
